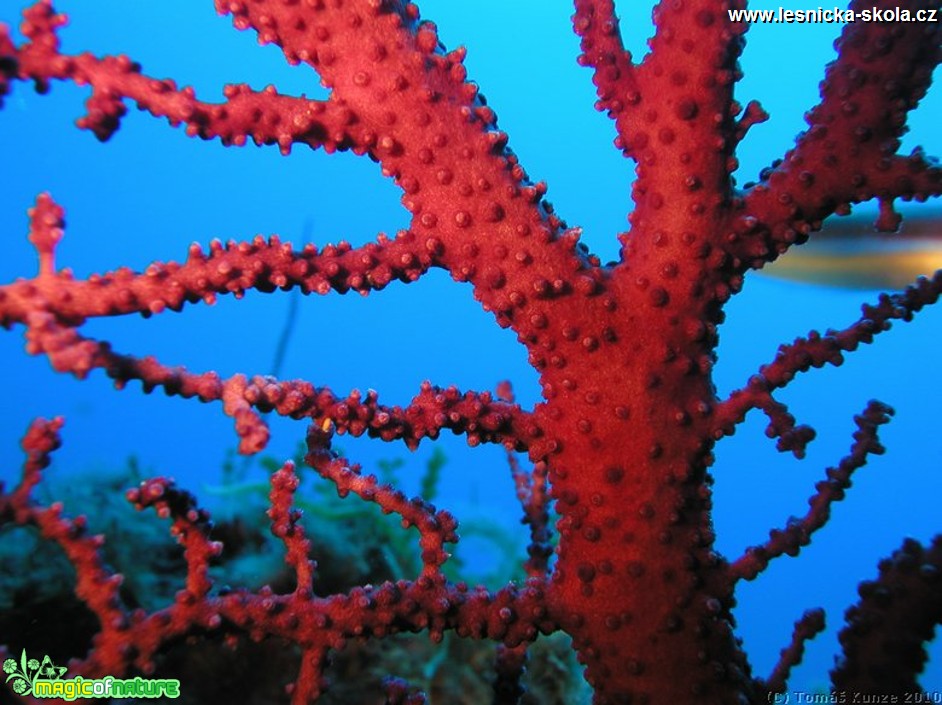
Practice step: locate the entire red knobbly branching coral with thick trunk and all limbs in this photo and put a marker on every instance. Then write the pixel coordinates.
(629, 416)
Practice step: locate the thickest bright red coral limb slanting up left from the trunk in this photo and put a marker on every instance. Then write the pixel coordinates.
(462, 185)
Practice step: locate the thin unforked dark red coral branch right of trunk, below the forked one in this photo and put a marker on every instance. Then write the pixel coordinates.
(797, 533)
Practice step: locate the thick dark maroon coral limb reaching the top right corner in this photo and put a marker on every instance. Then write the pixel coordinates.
(882, 71)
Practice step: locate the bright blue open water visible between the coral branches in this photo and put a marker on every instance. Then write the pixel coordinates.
(151, 191)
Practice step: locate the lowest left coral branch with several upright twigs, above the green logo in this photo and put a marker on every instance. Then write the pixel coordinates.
(317, 625)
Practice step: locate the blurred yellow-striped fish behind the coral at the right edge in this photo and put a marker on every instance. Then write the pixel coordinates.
(849, 253)
